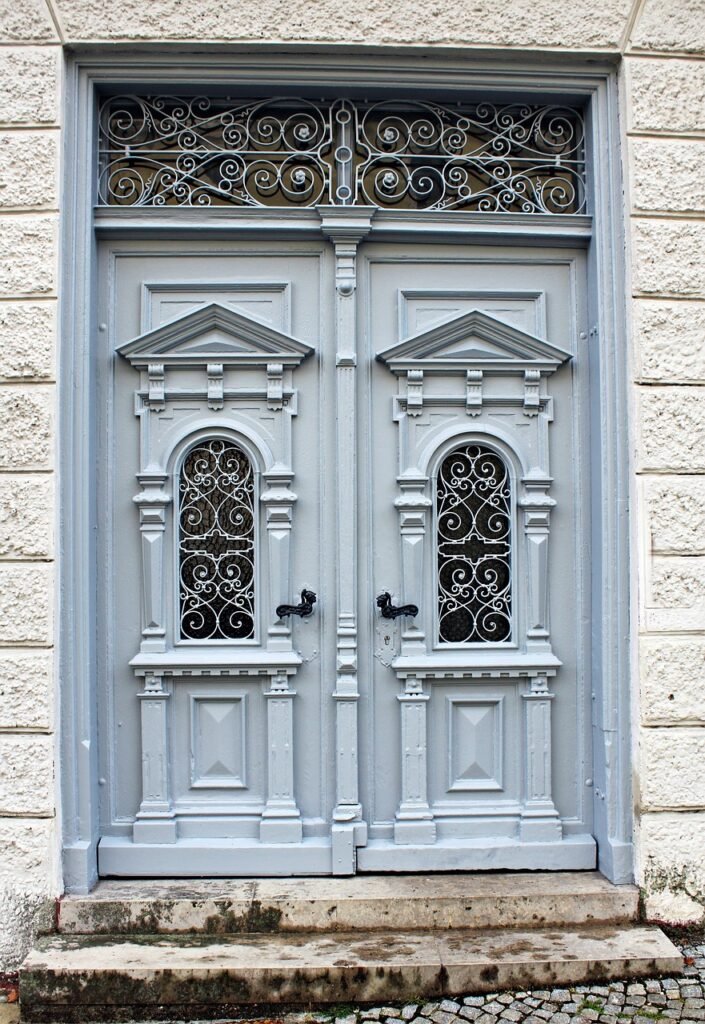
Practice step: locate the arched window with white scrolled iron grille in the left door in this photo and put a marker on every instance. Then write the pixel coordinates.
(217, 544)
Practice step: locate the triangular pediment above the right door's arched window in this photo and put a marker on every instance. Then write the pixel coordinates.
(474, 339)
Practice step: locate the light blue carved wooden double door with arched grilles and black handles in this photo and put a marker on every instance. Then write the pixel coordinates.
(424, 437)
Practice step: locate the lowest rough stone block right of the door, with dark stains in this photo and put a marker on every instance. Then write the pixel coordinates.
(672, 866)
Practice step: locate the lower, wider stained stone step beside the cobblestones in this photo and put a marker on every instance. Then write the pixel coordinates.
(82, 978)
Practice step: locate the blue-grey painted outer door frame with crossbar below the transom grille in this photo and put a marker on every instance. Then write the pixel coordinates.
(395, 71)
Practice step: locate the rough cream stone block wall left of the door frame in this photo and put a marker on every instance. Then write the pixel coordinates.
(30, 139)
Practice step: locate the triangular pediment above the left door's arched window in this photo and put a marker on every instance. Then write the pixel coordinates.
(215, 334)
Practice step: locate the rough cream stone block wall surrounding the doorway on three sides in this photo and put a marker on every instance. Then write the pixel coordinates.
(662, 44)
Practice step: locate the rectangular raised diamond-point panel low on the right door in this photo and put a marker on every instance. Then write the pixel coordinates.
(475, 744)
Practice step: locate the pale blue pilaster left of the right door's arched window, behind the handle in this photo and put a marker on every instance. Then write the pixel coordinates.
(412, 506)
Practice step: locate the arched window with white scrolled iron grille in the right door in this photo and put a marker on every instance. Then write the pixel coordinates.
(474, 523)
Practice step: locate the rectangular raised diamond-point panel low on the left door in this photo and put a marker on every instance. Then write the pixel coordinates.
(219, 743)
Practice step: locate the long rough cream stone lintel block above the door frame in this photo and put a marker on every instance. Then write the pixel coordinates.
(524, 23)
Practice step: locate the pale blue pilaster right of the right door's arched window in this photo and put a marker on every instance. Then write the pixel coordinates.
(536, 505)
